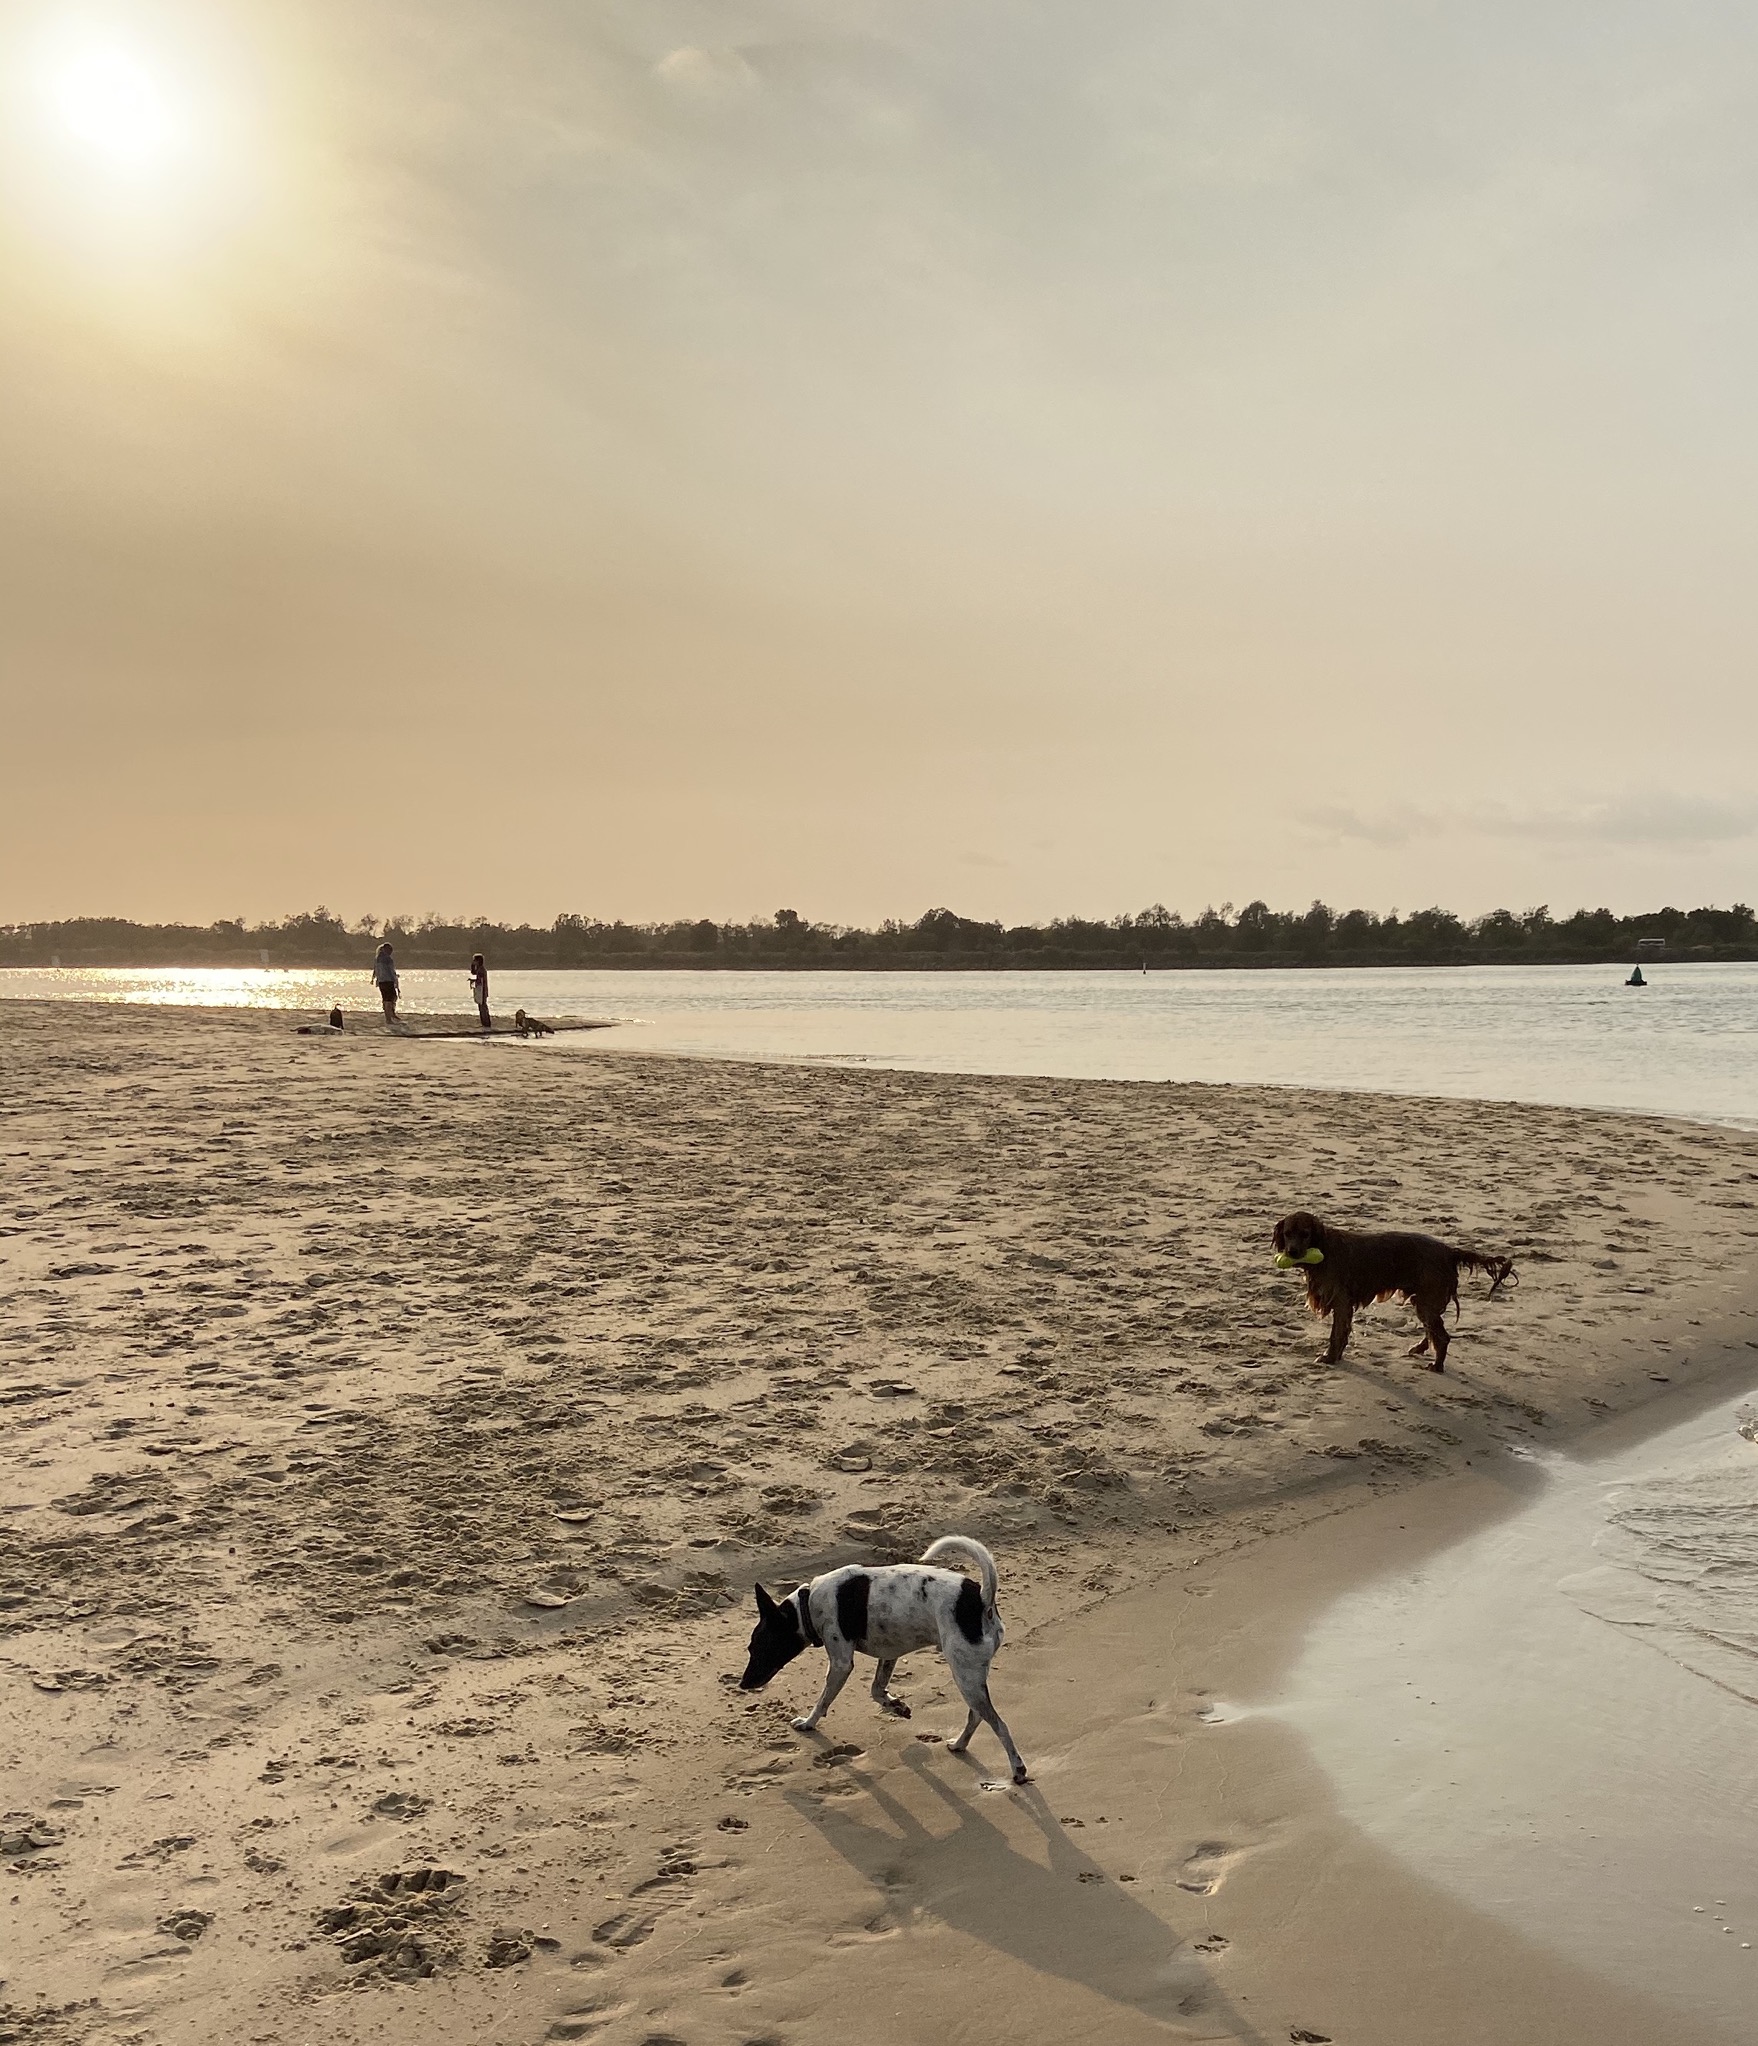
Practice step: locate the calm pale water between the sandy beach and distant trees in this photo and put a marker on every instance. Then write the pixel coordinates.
(1569, 1034)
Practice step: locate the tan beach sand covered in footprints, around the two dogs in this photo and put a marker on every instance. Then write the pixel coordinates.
(396, 1427)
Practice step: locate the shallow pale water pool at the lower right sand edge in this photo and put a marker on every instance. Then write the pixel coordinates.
(1556, 1718)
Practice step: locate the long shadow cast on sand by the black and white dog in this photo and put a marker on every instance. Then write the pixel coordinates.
(1059, 1916)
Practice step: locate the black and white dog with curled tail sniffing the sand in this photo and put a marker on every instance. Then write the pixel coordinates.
(887, 1613)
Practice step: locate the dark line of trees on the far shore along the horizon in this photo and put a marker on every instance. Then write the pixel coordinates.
(940, 940)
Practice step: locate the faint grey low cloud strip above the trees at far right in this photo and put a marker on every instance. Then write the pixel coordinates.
(1638, 817)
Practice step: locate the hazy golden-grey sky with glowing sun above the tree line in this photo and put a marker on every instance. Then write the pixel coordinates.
(687, 459)
